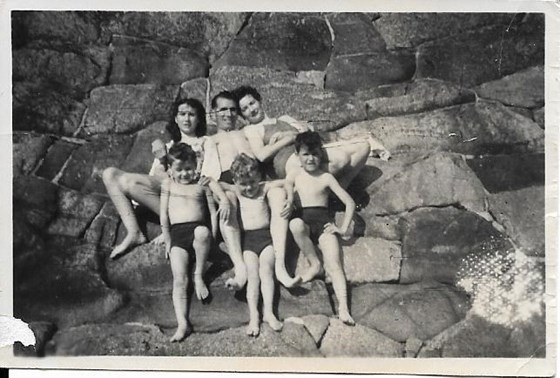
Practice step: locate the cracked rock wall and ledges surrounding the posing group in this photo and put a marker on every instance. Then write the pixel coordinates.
(456, 98)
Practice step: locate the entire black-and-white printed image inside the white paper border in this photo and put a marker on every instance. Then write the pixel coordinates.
(279, 184)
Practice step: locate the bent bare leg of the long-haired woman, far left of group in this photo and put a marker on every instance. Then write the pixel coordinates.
(122, 187)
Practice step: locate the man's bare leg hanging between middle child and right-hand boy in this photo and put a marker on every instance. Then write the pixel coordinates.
(278, 232)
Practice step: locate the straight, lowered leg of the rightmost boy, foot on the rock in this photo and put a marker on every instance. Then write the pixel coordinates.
(333, 264)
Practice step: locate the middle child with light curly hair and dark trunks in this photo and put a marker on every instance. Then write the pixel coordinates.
(256, 241)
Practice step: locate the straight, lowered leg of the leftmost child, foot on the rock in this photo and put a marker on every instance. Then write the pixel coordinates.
(179, 259)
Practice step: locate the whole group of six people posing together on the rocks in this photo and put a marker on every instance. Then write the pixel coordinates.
(252, 185)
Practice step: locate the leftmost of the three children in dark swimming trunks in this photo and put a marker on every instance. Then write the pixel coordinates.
(182, 217)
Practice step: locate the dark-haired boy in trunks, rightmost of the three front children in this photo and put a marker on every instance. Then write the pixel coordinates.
(313, 184)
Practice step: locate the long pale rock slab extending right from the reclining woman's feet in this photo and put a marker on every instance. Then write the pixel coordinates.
(477, 128)
